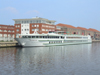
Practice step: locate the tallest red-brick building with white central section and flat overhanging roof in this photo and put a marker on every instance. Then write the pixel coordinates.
(28, 26)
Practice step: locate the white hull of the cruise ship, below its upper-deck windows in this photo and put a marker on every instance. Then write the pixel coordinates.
(49, 42)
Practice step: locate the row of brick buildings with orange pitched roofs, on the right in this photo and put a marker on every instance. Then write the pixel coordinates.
(69, 29)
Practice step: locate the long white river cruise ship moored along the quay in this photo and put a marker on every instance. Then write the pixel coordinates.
(51, 39)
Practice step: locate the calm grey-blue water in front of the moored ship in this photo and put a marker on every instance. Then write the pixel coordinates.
(83, 59)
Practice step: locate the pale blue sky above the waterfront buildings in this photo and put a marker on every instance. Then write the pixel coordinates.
(82, 13)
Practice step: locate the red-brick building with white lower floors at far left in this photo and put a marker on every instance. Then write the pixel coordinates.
(7, 32)
